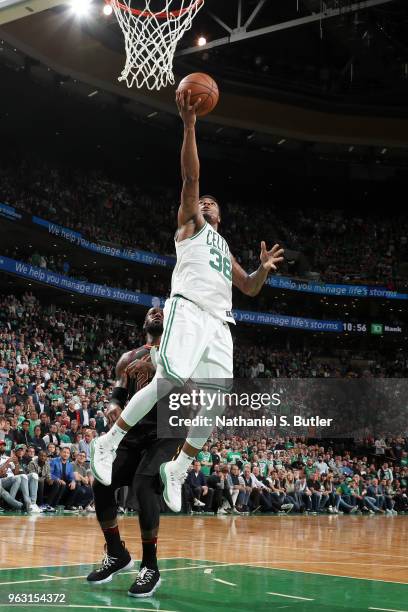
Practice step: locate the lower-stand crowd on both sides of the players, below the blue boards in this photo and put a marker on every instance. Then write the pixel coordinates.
(56, 376)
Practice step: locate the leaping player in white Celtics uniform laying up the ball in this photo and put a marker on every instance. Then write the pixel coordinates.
(196, 341)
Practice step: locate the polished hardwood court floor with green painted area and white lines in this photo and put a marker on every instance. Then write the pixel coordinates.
(234, 564)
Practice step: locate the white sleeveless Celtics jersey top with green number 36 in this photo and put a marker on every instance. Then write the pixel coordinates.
(203, 272)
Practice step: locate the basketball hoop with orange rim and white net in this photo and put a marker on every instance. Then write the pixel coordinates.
(151, 39)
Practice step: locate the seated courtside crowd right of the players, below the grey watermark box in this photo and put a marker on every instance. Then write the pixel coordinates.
(283, 475)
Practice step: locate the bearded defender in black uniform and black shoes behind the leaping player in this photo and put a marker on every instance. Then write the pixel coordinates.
(137, 464)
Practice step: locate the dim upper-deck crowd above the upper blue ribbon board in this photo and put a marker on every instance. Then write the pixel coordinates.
(340, 247)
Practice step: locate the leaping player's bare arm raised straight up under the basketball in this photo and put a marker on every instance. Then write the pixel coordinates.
(190, 164)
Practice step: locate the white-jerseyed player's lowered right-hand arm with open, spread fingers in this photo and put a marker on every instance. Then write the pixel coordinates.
(251, 284)
